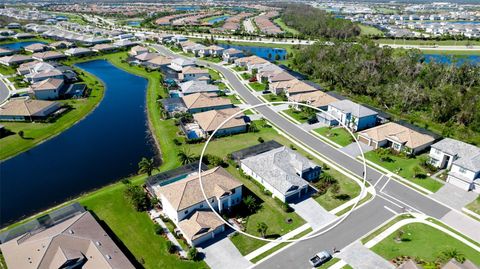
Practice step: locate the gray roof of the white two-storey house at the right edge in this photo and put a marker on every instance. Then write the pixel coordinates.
(468, 155)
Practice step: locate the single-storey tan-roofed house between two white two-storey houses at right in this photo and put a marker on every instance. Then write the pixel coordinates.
(398, 137)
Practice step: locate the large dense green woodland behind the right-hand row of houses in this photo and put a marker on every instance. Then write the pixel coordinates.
(400, 81)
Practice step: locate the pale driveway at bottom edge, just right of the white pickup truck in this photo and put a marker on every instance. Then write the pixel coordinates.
(358, 256)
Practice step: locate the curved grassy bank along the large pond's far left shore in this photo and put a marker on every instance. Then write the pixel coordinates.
(36, 132)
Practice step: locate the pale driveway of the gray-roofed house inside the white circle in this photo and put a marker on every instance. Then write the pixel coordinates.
(311, 211)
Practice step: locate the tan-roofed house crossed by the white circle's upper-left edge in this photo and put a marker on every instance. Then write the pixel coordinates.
(209, 121)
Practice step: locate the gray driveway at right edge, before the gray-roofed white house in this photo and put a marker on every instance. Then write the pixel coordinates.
(453, 196)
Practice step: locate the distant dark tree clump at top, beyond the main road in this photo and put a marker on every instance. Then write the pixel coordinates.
(315, 22)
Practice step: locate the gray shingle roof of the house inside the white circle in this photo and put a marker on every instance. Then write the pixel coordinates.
(279, 168)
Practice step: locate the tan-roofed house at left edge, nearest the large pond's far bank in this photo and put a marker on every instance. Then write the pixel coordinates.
(26, 109)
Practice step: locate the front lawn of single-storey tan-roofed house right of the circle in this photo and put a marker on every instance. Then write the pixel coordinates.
(404, 167)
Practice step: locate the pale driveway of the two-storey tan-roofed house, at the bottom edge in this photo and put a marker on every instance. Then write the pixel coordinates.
(222, 254)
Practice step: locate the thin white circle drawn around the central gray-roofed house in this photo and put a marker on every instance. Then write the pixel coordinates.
(280, 239)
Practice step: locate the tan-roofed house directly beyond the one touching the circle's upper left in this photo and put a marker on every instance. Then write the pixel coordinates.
(200, 102)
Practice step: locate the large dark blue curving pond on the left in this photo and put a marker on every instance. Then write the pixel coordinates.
(100, 149)
